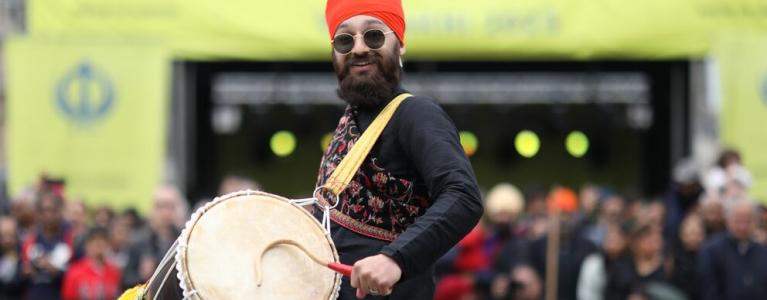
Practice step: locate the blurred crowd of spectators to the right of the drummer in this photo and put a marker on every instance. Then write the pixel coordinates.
(704, 239)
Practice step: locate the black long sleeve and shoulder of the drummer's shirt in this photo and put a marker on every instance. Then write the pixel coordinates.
(422, 142)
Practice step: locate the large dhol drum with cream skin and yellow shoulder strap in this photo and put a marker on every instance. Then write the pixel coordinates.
(255, 245)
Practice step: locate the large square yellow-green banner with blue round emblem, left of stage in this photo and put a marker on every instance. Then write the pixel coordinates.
(91, 113)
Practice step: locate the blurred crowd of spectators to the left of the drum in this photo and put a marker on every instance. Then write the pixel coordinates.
(53, 247)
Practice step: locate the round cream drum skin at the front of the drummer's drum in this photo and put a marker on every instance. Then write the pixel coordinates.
(221, 245)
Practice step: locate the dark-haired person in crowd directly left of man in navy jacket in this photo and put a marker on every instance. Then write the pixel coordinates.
(692, 234)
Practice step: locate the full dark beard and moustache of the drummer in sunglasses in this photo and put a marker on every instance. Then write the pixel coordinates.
(369, 90)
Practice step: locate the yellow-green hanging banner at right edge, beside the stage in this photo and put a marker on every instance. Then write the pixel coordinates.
(742, 67)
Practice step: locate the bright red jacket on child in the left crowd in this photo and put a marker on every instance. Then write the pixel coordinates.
(85, 281)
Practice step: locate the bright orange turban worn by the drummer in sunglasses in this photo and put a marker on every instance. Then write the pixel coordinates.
(388, 11)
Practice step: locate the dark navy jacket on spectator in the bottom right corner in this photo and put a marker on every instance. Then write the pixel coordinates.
(729, 271)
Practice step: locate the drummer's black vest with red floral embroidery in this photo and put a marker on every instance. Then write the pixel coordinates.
(375, 203)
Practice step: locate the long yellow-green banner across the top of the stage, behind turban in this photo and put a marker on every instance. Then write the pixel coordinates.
(436, 29)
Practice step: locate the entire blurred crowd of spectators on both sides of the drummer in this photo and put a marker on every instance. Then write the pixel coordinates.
(704, 239)
